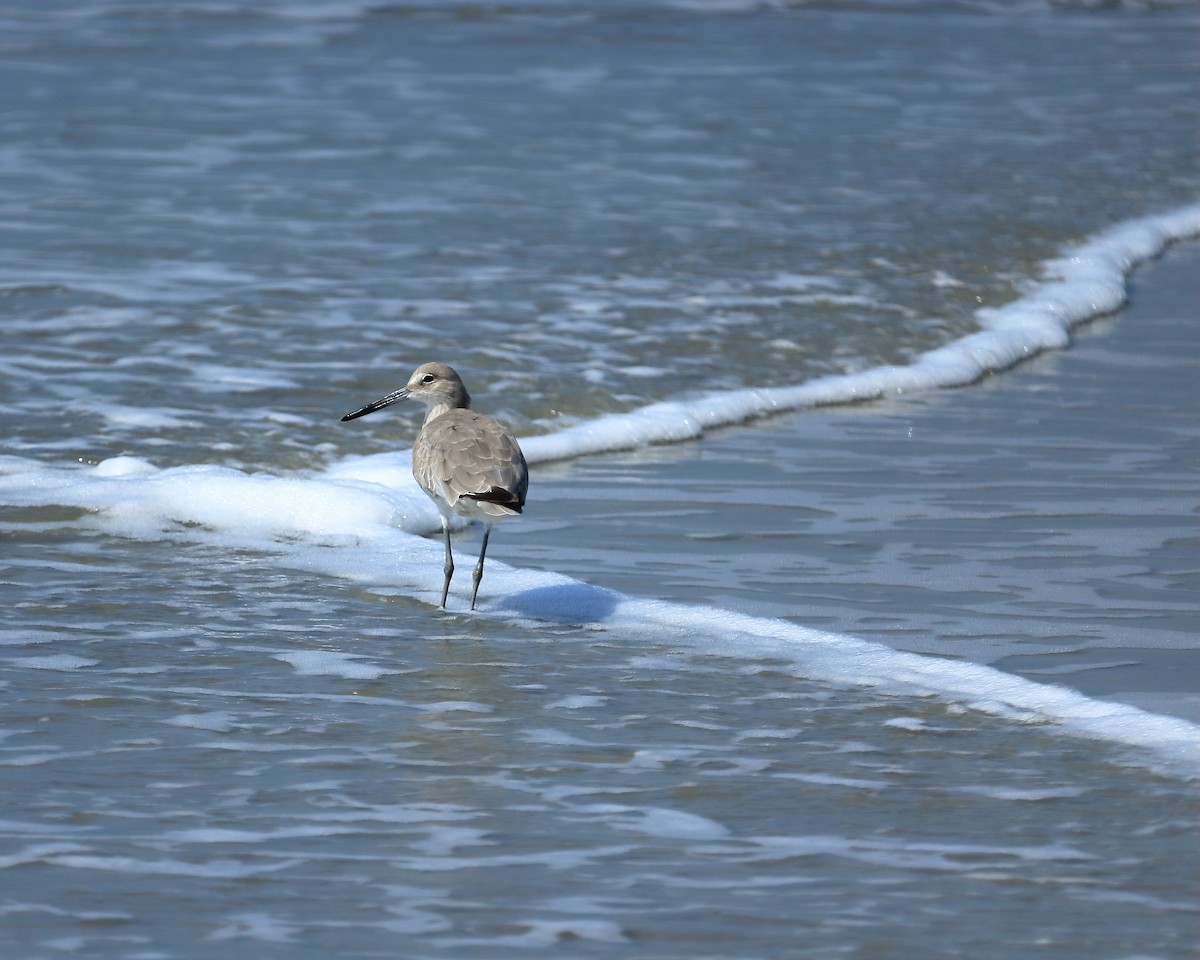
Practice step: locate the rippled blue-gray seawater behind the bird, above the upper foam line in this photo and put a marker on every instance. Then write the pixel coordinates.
(226, 227)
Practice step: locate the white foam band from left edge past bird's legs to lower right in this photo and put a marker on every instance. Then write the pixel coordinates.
(232, 511)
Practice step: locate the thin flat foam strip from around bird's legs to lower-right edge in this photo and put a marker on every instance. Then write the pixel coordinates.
(393, 559)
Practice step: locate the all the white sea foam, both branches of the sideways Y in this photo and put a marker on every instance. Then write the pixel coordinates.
(370, 509)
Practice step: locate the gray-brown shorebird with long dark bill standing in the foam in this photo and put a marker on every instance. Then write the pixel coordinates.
(467, 463)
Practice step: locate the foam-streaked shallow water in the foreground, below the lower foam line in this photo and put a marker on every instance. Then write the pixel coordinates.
(220, 767)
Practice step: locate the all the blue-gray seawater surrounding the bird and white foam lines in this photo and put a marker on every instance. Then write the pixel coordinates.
(225, 225)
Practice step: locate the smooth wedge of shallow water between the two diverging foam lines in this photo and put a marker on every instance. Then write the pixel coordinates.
(1043, 521)
